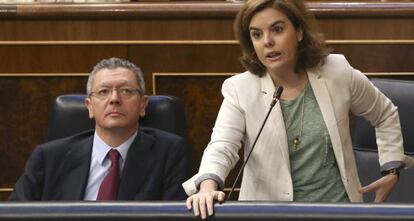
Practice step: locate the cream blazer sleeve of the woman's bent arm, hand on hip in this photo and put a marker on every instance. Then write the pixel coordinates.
(373, 105)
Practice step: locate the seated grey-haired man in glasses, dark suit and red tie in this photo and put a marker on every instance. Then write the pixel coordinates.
(116, 161)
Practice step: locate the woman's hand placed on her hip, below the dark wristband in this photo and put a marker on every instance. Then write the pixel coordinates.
(382, 187)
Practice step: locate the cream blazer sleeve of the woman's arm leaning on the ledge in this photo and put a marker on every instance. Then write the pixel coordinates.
(221, 154)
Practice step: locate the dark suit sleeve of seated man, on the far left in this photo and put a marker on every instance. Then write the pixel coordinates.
(30, 185)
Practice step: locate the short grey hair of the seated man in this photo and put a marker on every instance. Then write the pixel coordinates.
(113, 63)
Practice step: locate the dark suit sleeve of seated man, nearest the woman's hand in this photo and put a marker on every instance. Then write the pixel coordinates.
(176, 171)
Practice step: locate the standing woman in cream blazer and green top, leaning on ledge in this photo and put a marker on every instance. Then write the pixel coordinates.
(305, 151)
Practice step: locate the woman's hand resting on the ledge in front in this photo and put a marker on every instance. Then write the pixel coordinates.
(202, 202)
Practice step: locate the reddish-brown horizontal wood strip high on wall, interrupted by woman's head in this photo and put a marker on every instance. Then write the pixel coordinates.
(177, 29)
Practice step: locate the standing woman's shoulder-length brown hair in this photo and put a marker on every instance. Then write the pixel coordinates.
(312, 50)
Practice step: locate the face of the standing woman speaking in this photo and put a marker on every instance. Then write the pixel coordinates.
(275, 40)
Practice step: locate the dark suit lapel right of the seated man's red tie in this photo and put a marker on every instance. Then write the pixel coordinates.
(137, 166)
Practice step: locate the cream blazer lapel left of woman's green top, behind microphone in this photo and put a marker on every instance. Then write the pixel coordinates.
(275, 121)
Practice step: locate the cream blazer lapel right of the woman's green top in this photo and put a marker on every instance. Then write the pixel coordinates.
(325, 103)
